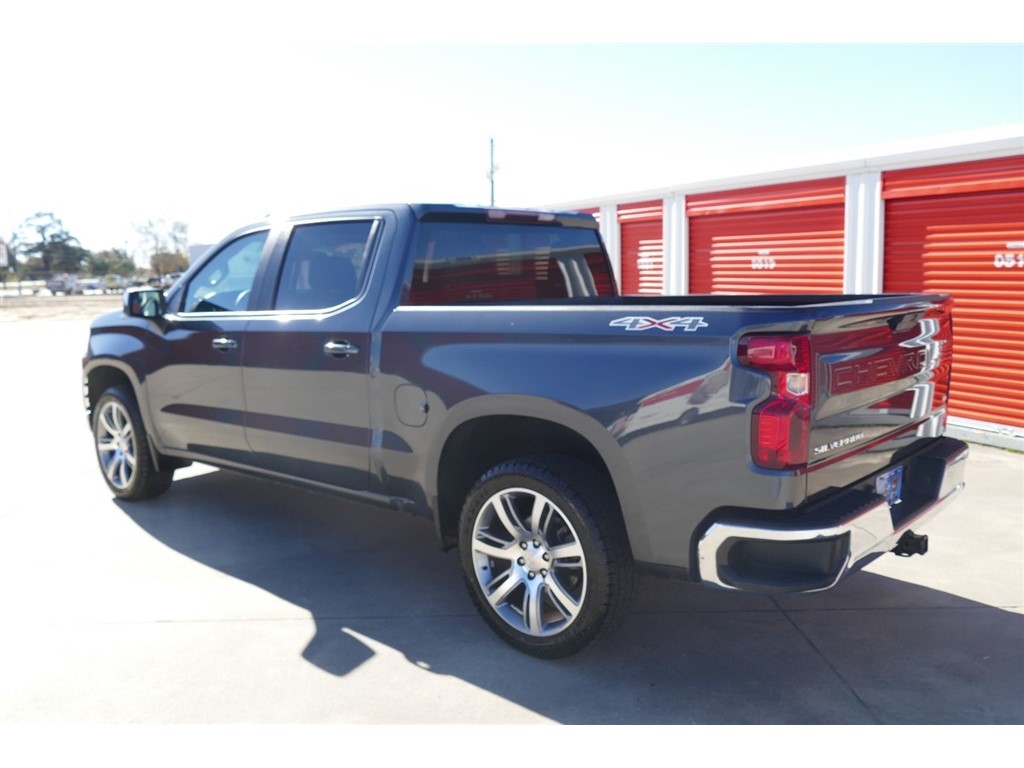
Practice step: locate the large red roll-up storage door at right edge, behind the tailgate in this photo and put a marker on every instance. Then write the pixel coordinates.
(959, 229)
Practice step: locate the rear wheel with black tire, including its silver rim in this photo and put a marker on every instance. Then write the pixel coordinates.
(545, 554)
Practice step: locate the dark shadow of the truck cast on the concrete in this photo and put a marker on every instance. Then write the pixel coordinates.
(874, 651)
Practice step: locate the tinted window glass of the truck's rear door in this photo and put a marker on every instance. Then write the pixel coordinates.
(324, 266)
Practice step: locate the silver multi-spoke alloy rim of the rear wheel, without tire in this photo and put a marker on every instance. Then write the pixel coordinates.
(529, 562)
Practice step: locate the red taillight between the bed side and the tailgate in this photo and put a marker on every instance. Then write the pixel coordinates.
(782, 424)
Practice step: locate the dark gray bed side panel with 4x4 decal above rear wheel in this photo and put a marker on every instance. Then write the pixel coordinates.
(572, 366)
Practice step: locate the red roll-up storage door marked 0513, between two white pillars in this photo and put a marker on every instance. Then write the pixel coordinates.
(773, 240)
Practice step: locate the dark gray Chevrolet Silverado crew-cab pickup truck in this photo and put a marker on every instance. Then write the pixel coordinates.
(477, 366)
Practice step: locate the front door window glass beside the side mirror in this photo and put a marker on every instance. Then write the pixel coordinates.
(225, 284)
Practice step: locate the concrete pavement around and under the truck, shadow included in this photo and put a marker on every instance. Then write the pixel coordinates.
(232, 601)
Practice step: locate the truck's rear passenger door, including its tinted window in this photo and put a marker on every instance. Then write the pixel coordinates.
(307, 363)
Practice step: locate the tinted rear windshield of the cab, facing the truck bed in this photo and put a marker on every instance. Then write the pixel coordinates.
(459, 263)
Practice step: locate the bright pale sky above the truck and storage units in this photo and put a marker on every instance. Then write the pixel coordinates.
(219, 114)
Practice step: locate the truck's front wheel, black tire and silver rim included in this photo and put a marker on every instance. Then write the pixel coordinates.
(123, 449)
